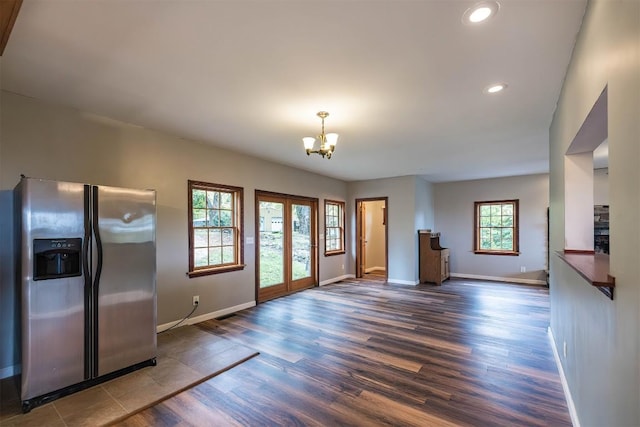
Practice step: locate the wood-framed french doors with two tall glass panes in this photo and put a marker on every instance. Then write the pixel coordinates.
(286, 247)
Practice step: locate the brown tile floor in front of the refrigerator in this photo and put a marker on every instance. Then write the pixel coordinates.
(186, 356)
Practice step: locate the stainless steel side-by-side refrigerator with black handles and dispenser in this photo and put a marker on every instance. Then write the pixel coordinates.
(87, 279)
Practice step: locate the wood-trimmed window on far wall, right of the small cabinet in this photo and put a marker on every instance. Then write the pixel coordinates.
(496, 227)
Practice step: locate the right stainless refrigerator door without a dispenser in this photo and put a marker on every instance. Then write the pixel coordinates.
(126, 288)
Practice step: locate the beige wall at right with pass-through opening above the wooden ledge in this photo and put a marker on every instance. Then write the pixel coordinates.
(602, 366)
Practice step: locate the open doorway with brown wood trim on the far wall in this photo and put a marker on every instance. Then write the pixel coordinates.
(372, 238)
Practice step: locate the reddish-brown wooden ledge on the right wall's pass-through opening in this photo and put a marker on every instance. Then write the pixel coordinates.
(594, 268)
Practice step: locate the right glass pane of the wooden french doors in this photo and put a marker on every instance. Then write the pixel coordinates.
(301, 241)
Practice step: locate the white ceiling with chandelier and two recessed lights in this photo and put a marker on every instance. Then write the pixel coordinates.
(402, 80)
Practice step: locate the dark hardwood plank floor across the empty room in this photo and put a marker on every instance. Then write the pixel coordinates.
(362, 352)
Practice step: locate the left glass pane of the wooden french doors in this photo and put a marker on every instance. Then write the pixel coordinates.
(271, 244)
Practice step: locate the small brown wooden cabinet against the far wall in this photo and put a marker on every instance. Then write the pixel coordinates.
(434, 259)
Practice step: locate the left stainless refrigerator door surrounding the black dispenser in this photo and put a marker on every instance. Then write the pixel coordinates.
(53, 319)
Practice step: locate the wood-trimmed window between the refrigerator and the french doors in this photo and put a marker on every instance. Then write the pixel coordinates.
(215, 228)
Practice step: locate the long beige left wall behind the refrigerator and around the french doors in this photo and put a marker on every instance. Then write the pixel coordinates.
(52, 142)
